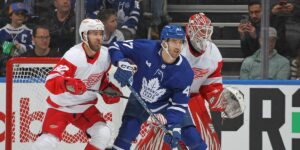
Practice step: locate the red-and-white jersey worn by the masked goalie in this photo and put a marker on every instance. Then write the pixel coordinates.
(207, 71)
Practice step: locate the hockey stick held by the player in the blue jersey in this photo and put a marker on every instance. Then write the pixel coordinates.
(144, 105)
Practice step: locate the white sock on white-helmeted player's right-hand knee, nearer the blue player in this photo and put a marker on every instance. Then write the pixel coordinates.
(100, 135)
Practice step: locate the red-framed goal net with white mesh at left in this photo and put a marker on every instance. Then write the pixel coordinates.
(25, 95)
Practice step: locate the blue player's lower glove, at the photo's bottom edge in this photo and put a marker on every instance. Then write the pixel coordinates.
(173, 137)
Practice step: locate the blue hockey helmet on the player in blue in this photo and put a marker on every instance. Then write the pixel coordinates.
(172, 31)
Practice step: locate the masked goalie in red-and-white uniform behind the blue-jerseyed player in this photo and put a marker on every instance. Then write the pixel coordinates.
(207, 87)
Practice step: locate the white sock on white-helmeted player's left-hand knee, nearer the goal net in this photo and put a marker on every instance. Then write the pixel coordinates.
(45, 142)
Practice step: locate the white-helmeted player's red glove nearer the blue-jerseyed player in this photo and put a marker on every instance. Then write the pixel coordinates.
(111, 94)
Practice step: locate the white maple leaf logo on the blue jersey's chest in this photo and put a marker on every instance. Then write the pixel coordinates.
(150, 91)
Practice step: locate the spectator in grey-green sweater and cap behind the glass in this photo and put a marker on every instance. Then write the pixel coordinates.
(279, 66)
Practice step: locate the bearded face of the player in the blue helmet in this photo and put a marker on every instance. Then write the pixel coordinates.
(175, 47)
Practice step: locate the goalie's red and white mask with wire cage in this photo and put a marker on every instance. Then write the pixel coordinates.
(199, 31)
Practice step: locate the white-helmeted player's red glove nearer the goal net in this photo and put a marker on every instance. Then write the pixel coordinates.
(75, 86)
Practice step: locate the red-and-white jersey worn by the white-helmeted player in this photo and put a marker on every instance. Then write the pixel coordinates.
(76, 64)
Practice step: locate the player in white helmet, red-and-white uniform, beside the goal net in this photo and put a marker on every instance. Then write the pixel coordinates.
(83, 67)
